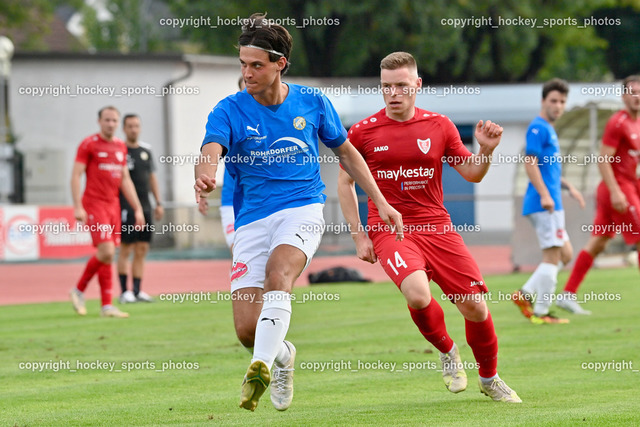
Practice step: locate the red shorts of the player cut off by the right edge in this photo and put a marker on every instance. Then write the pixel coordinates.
(608, 221)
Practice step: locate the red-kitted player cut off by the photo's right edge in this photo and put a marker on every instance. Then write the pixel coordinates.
(618, 195)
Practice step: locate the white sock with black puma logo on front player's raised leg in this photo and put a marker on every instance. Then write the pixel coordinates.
(272, 326)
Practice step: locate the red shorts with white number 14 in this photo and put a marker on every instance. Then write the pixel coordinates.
(444, 257)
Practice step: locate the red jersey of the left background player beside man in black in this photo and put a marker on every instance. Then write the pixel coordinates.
(104, 160)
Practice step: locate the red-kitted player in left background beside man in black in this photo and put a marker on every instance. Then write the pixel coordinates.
(103, 158)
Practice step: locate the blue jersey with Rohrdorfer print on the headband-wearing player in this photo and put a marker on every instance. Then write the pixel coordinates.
(271, 152)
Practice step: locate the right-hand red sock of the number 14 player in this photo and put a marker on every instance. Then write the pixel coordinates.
(483, 341)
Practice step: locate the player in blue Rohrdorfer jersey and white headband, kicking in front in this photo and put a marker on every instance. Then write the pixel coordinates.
(269, 136)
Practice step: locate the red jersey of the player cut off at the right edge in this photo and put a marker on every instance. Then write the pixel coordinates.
(623, 134)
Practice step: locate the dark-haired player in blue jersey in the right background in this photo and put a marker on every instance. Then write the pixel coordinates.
(543, 205)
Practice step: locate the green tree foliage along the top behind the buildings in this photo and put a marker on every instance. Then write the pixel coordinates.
(454, 41)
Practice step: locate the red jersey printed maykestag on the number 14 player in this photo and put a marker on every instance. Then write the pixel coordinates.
(405, 159)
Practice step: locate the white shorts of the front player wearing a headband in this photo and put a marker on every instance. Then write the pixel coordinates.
(301, 227)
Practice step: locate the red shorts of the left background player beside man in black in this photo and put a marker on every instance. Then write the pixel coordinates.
(103, 222)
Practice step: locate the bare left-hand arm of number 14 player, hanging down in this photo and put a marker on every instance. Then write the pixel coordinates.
(349, 206)
